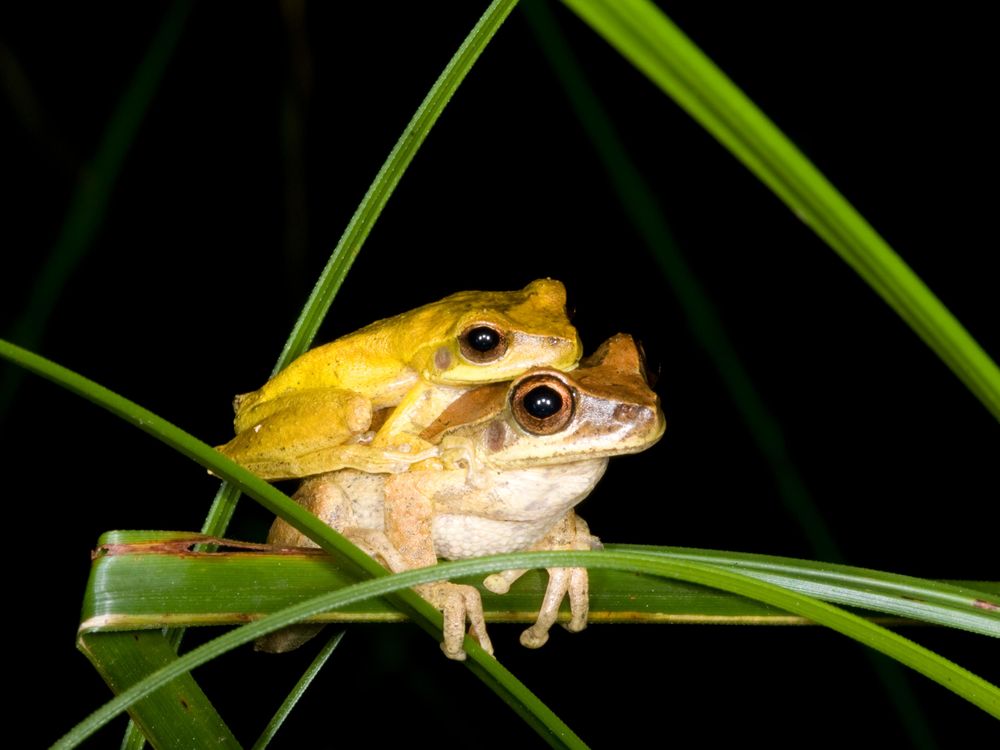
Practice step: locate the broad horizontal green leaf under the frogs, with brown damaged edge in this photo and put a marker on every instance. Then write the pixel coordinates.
(154, 579)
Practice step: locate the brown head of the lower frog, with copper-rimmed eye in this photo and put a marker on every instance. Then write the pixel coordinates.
(603, 408)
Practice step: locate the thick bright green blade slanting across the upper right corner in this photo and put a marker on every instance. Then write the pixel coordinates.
(647, 38)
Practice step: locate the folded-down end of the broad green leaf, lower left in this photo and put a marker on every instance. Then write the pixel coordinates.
(178, 714)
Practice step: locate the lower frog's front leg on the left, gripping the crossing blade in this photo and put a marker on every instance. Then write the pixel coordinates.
(408, 516)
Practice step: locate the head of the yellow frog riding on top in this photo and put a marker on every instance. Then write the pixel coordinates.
(486, 337)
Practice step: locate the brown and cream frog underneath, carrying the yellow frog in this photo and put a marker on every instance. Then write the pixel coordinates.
(537, 446)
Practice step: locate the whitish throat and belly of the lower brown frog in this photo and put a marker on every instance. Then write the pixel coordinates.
(514, 511)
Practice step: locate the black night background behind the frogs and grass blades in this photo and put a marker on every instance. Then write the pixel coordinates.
(206, 255)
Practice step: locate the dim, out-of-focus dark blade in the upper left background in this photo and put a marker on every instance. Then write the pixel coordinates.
(88, 205)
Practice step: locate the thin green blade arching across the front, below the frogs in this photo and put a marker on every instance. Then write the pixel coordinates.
(961, 681)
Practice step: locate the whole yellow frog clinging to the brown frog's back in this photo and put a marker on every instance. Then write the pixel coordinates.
(315, 416)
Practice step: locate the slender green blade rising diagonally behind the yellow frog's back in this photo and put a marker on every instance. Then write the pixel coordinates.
(367, 213)
